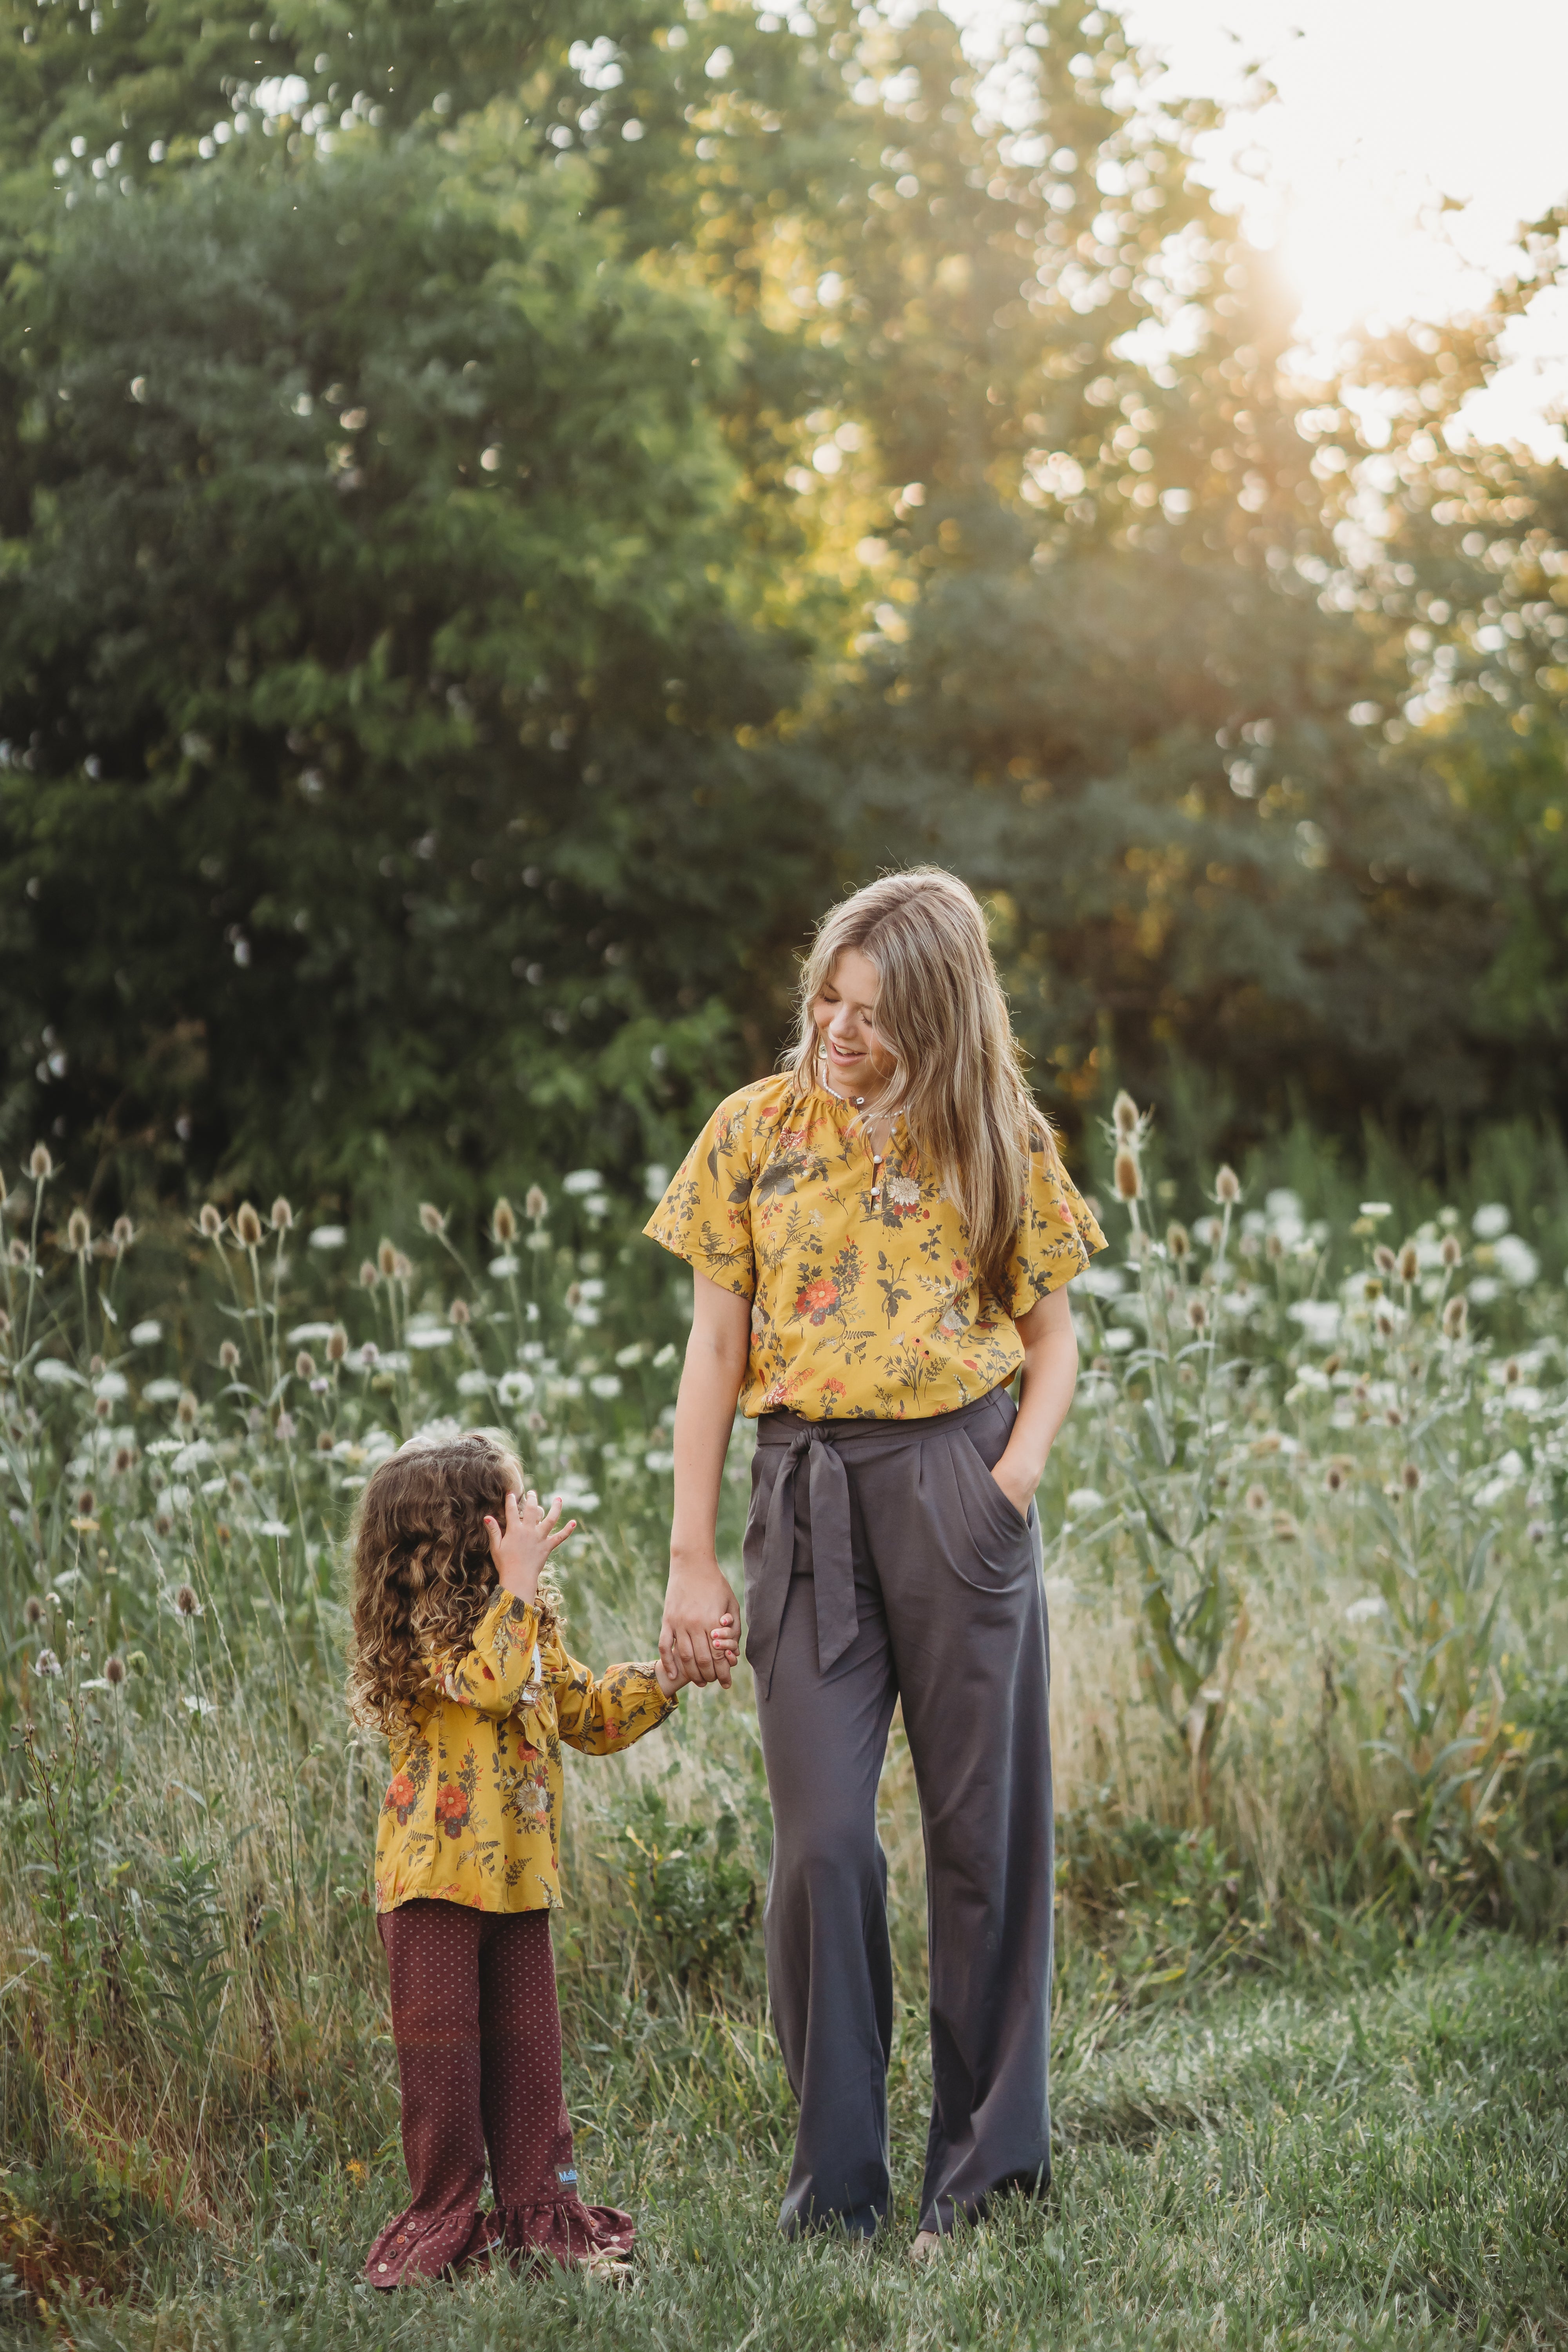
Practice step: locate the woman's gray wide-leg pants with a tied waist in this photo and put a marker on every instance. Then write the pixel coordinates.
(885, 1563)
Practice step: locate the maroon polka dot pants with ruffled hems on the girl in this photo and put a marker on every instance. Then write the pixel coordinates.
(481, 2062)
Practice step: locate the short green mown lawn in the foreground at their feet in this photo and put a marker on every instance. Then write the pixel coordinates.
(1336, 2160)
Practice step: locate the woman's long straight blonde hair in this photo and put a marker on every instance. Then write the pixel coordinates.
(958, 1064)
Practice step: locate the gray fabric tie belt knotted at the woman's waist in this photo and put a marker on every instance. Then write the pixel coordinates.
(833, 1563)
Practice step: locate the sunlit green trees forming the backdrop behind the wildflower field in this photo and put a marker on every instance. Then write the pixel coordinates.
(735, 460)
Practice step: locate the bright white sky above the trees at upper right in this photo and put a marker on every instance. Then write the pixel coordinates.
(1383, 109)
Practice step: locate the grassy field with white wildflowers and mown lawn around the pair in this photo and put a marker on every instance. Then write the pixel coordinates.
(1306, 1558)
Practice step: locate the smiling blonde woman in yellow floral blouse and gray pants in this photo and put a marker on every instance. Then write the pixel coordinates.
(880, 1243)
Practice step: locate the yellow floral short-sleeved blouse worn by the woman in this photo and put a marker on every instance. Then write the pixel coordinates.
(864, 1295)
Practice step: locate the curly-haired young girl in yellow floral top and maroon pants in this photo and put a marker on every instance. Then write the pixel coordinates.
(460, 1662)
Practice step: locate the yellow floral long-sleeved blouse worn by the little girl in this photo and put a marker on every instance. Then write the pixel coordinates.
(476, 1800)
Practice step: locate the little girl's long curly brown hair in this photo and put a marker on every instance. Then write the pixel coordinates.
(422, 1568)
